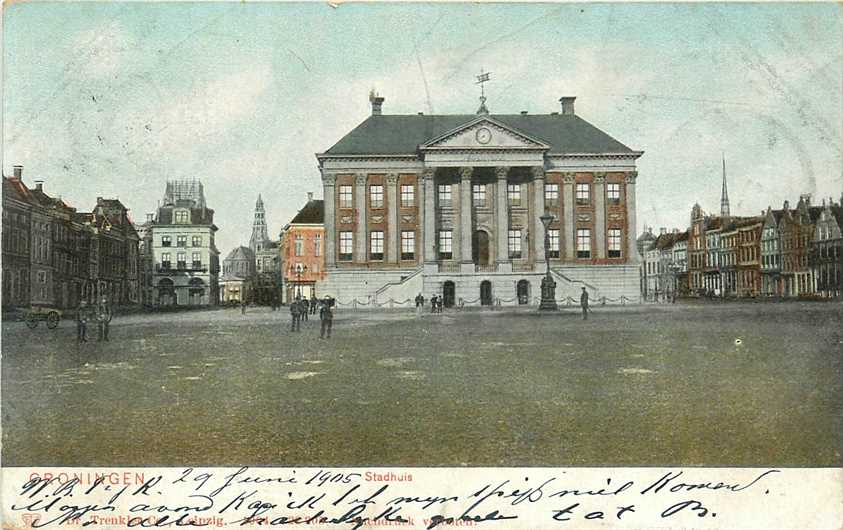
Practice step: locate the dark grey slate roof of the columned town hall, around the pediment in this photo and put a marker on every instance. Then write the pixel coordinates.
(402, 134)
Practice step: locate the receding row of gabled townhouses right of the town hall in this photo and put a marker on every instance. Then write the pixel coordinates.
(787, 252)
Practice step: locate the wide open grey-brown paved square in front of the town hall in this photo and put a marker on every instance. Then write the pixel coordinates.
(705, 384)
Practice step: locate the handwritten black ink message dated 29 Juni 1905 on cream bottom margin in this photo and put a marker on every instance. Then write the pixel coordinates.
(408, 498)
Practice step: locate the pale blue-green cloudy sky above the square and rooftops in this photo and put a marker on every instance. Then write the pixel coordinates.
(112, 100)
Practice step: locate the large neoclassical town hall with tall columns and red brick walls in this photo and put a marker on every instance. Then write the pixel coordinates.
(451, 204)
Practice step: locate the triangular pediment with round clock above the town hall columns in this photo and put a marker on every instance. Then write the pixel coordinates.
(484, 133)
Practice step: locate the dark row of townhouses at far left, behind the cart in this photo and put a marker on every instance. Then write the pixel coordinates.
(55, 256)
